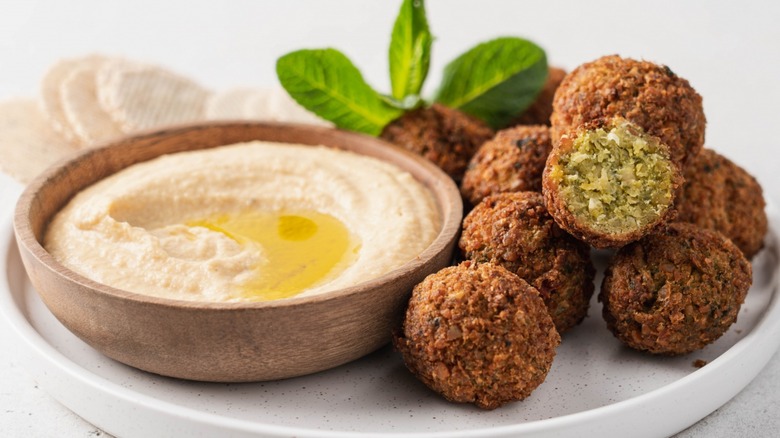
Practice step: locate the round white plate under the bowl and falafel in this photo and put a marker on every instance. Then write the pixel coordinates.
(595, 387)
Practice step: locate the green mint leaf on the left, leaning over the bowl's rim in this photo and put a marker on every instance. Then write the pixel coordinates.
(325, 82)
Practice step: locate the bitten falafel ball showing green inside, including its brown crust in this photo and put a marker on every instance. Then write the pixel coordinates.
(609, 183)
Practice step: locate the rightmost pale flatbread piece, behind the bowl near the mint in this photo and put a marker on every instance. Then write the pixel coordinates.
(274, 104)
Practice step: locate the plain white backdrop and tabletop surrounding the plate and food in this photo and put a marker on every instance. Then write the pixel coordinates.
(729, 51)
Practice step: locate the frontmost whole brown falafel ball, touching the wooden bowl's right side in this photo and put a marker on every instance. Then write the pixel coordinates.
(476, 333)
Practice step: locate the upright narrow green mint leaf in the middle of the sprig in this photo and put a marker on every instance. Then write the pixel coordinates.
(410, 50)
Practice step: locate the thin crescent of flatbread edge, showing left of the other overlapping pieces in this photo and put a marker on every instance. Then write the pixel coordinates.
(50, 99)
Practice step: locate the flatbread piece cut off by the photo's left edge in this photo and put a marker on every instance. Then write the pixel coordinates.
(28, 143)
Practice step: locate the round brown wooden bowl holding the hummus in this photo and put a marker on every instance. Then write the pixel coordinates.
(225, 342)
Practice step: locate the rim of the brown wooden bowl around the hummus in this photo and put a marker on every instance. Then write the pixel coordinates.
(443, 186)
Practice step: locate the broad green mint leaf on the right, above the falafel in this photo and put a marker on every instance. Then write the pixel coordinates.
(496, 80)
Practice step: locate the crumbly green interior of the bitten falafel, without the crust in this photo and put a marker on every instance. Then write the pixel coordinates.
(615, 177)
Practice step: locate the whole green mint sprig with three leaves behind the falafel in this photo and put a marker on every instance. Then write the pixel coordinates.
(493, 81)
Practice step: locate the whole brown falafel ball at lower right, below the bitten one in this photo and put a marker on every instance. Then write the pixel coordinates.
(676, 290)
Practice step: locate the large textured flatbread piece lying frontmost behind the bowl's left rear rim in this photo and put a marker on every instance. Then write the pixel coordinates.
(140, 97)
